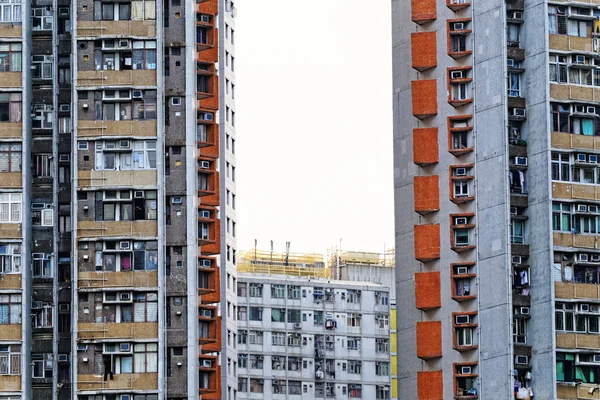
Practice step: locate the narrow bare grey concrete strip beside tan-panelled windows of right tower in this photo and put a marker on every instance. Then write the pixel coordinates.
(541, 325)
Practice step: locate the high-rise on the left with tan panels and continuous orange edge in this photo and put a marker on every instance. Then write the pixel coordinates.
(117, 167)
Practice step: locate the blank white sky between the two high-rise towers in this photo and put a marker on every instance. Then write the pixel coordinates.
(314, 124)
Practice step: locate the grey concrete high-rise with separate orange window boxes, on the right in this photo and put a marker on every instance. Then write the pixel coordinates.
(496, 173)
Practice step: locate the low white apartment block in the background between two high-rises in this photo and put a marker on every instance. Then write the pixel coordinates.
(312, 338)
